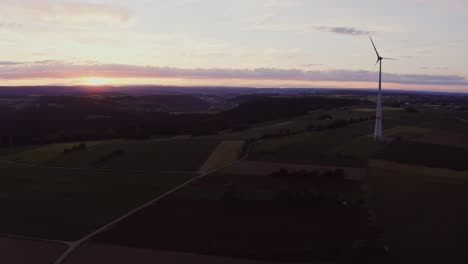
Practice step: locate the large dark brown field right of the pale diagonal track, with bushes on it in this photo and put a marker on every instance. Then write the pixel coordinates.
(257, 217)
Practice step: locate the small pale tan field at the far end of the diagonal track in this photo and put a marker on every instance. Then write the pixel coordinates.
(226, 153)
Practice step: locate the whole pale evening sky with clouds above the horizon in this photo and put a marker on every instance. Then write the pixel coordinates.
(261, 43)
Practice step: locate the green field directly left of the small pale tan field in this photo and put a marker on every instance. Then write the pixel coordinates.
(156, 155)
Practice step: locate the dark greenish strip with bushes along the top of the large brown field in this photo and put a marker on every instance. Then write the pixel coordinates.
(266, 188)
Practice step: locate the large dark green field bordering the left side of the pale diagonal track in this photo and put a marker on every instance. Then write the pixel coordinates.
(65, 204)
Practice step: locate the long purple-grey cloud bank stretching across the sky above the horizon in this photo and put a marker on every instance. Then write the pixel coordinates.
(63, 70)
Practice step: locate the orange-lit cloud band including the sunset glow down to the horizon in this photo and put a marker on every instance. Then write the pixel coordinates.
(120, 74)
